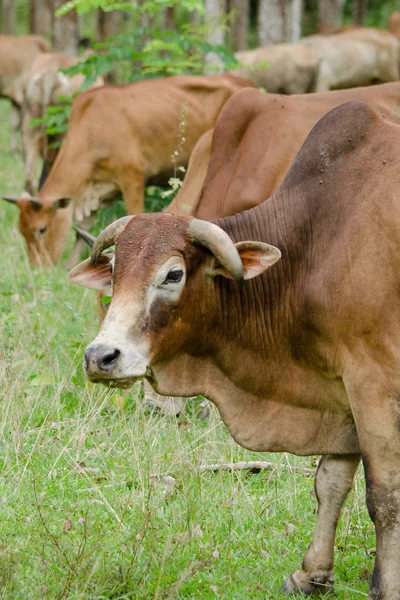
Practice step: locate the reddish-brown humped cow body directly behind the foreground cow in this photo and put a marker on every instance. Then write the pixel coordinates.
(257, 137)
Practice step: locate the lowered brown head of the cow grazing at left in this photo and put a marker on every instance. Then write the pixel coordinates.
(45, 227)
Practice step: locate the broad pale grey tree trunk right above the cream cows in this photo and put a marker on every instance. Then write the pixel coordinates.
(279, 21)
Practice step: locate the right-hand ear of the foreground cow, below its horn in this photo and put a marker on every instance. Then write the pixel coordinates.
(256, 258)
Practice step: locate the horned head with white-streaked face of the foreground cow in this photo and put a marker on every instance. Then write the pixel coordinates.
(165, 279)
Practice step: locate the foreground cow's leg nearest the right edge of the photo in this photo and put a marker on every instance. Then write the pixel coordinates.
(374, 394)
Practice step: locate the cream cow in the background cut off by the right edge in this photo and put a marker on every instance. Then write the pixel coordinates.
(361, 56)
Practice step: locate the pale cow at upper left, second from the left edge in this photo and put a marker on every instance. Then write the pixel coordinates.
(43, 88)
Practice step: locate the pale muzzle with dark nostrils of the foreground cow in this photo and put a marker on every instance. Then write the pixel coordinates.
(114, 366)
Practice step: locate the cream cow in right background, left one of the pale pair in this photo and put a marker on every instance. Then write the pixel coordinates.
(288, 68)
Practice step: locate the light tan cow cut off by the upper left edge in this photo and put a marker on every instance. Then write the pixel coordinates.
(16, 57)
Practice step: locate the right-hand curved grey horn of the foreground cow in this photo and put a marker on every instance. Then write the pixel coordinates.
(219, 244)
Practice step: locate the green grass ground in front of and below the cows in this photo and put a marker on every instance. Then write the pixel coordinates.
(81, 516)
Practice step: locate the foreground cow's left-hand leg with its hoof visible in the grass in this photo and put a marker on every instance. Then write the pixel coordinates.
(333, 482)
